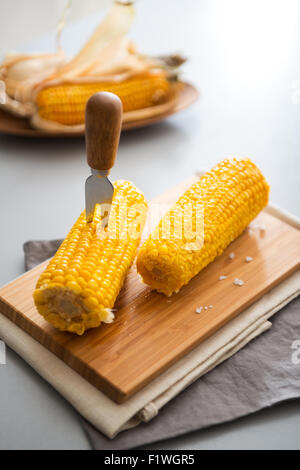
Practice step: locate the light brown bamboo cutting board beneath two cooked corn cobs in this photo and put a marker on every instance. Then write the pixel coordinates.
(151, 331)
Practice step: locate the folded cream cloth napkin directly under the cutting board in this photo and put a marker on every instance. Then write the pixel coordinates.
(110, 418)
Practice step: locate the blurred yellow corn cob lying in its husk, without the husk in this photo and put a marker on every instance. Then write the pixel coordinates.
(65, 104)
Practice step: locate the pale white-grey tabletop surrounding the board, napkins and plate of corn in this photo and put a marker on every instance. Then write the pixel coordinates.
(245, 58)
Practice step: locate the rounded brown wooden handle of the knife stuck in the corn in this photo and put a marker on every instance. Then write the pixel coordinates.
(103, 122)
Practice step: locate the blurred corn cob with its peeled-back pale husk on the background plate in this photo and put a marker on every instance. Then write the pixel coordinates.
(52, 91)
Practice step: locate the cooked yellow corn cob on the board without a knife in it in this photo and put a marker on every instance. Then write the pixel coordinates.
(230, 196)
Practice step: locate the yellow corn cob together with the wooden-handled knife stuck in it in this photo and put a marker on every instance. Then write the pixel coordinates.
(80, 285)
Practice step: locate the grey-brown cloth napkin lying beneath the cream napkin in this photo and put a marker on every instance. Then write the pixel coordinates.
(263, 373)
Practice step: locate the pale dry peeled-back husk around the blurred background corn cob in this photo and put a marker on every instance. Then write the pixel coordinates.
(108, 56)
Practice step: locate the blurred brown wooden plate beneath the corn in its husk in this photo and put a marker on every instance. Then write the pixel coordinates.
(188, 94)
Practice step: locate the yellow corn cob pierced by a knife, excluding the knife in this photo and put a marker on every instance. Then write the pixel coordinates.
(81, 283)
